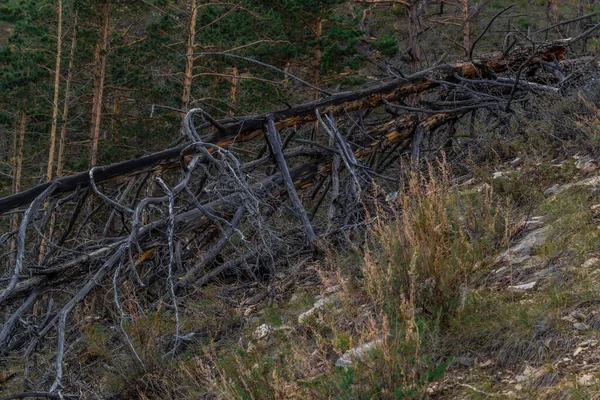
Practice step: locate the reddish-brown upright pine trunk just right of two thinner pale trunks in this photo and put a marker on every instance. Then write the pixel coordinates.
(100, 56)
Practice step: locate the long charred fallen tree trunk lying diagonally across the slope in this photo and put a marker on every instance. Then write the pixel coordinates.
(248, 128)
